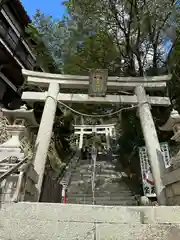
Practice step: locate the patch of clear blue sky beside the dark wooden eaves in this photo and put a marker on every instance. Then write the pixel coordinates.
(53, 8)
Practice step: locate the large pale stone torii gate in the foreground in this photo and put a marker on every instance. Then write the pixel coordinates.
(55, 82)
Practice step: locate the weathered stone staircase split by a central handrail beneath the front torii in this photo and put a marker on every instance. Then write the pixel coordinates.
(110, 188)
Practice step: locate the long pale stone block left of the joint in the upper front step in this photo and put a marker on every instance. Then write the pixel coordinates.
(67, 212)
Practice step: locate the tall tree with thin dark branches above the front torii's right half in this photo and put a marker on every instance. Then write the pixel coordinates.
(136, 28)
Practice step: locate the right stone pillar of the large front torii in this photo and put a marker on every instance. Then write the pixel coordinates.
(152, 143)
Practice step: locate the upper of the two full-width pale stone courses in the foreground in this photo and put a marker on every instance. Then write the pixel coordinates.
(68, 212)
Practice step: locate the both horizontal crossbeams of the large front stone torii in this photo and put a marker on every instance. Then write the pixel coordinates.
(82, 82)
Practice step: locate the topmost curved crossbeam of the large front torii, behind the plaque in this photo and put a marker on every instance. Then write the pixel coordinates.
(82, 82)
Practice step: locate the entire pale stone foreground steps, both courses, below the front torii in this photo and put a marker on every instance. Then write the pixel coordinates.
(39, 221)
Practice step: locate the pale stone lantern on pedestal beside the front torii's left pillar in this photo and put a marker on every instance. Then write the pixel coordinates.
(11, 154)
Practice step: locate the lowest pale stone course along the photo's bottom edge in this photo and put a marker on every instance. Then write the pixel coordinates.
(40, 230)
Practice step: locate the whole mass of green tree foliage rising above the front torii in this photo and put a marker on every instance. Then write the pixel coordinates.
(124, 36)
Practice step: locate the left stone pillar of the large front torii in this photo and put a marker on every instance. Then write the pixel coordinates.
(44, 133)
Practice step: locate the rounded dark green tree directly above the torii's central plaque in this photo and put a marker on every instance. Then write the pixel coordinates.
(96, 51)
